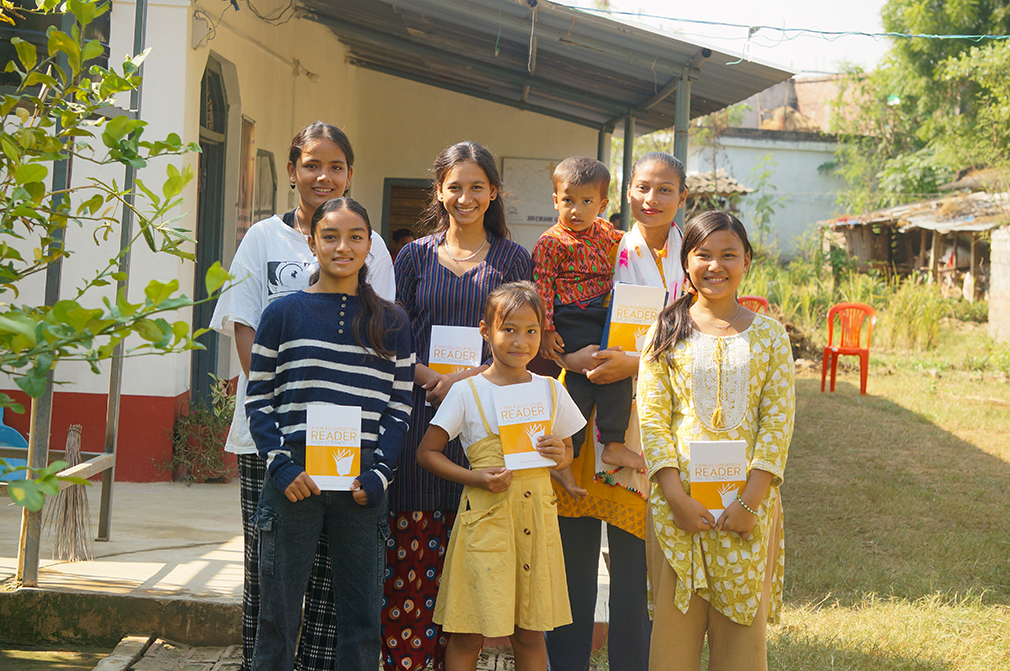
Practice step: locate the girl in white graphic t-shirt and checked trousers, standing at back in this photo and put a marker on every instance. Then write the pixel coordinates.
(274, 260)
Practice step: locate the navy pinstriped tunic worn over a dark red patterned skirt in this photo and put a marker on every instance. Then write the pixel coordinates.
(433, 295)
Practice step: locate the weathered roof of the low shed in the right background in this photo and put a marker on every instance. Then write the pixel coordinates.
(959, 213)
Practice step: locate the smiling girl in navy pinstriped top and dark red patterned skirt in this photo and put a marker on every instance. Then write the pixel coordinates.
(443, 279)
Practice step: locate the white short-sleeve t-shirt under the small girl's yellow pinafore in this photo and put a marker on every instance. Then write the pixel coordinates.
(459, 415)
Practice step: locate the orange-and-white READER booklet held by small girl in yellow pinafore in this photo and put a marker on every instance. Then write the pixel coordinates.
(524, 416)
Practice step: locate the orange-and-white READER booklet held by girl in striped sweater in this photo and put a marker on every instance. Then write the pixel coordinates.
(334, 445)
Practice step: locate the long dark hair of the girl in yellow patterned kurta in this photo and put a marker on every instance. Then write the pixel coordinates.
(674, 323)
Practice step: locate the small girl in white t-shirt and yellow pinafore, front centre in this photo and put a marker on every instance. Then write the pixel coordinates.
(504, 570)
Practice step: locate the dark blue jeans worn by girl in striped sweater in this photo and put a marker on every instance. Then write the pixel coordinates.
(289, 534)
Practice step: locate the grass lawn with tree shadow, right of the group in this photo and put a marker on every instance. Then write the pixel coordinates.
(898, 515)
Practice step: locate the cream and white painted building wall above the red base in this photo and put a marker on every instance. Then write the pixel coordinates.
(281, 78)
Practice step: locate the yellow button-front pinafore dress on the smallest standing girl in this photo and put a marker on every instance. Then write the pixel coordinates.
(504, 567)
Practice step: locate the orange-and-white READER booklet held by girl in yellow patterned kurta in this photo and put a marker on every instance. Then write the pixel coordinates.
(719, 472)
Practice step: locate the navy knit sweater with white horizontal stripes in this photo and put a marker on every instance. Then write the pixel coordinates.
(306, 353)
